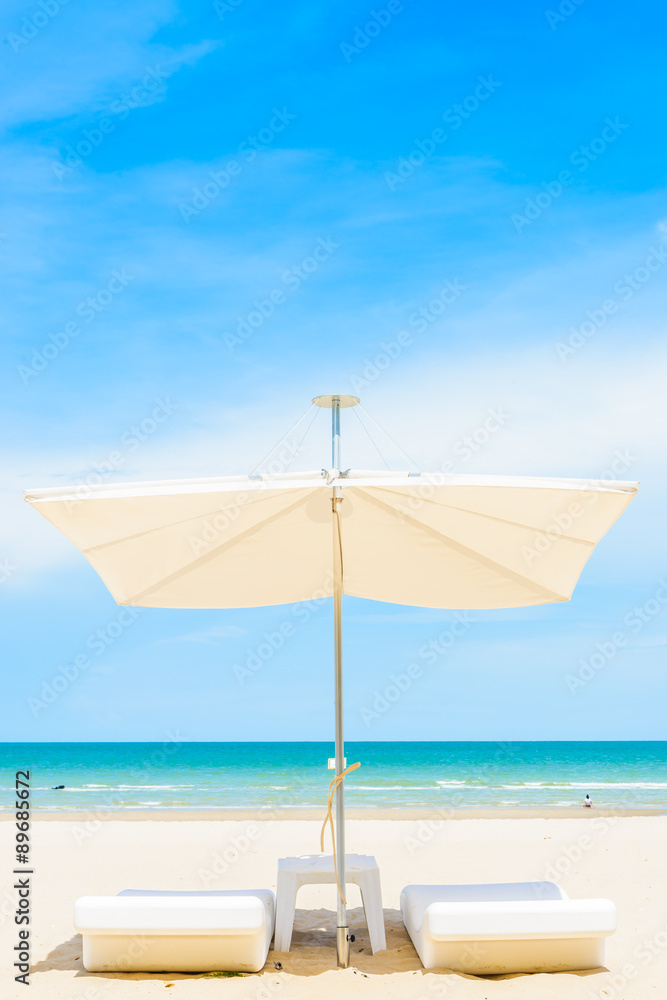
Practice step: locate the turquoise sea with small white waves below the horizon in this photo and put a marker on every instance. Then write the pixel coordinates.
(178, 775)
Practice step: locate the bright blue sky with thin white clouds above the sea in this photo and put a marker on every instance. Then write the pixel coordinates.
(169, 170)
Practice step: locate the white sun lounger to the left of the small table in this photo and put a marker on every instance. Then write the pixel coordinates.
(153, 931)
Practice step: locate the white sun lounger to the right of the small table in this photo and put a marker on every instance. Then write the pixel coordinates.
(508, 927)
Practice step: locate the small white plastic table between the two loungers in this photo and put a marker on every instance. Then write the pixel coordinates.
(360, 869)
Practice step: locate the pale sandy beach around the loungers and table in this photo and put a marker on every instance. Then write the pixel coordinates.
(618, 856)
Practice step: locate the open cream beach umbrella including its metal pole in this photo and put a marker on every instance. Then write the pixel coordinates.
(431, 540)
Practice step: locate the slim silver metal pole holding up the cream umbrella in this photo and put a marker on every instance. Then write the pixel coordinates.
(342, 930)
